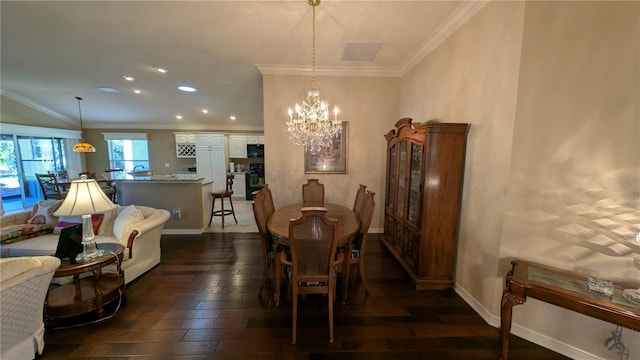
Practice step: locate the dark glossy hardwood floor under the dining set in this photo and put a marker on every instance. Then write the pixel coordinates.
(201, 303)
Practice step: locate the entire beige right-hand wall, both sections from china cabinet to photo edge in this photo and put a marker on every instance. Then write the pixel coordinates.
(553, 164)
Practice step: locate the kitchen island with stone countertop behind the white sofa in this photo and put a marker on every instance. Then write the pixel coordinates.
(186, 197)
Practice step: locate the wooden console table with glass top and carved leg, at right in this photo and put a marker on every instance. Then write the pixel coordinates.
(565, 289)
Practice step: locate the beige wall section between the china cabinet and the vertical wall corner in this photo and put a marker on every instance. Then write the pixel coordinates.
(472, 78)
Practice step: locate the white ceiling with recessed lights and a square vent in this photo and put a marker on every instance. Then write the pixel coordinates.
(53, 51)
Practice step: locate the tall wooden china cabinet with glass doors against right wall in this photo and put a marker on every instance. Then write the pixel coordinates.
(425, 167)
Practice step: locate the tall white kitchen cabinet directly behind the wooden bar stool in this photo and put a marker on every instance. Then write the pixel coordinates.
(211, 158)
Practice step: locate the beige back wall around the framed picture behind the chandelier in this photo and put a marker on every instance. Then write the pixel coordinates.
(369, 104)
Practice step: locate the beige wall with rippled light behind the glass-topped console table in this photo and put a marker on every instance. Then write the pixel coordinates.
(574, 190)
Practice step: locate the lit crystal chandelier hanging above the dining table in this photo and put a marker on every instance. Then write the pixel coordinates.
(310, 125)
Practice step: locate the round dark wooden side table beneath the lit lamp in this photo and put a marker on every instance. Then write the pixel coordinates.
(87, 293)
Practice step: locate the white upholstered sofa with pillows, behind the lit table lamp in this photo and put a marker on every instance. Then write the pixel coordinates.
(140, 237)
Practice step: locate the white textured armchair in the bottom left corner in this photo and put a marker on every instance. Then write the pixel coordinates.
(24, 282)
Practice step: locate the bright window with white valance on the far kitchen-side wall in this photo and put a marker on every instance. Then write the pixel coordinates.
(127, 150)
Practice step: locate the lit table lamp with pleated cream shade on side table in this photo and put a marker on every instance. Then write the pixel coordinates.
(83, 199)
